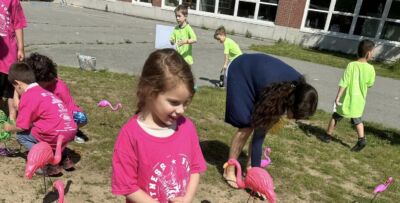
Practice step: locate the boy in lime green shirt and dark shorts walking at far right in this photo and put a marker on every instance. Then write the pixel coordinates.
(351, 97)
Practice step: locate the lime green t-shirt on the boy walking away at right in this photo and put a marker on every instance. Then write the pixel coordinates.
(357, 78)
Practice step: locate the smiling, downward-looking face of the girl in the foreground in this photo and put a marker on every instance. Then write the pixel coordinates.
(168, 106)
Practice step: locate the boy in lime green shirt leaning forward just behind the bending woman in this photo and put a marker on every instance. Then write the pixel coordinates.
(231, 50)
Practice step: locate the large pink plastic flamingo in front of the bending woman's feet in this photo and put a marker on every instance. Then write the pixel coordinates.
(257, 180)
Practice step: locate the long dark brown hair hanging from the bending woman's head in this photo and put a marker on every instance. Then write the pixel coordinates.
(298, 97)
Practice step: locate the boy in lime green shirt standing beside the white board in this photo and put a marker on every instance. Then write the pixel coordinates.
(183, 35)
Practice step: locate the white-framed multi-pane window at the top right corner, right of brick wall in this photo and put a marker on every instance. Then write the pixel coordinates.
(379, 19)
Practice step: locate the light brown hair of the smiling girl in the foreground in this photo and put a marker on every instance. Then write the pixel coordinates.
(162, 71)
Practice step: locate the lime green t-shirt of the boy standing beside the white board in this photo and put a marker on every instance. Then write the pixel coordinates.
(184, 33)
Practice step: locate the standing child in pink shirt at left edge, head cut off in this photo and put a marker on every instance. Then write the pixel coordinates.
(12, 22)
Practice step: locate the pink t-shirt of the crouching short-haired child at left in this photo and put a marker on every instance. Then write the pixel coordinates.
(45, 115)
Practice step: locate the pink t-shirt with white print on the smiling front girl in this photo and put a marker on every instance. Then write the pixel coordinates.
(161, 167)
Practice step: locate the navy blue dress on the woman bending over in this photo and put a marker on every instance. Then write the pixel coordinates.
(247, 76)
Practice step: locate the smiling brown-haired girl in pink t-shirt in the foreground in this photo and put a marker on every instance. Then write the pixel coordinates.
(157, 155)
